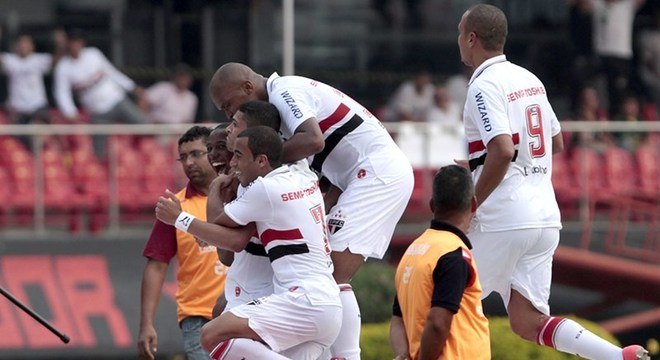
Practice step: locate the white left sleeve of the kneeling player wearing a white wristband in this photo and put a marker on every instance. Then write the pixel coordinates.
(253, 205)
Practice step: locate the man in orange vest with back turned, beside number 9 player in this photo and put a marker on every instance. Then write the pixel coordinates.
(437, 311)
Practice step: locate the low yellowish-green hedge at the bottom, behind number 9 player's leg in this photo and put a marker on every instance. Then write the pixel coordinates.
(505, 345)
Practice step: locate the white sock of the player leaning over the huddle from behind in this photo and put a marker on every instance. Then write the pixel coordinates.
(347, 345)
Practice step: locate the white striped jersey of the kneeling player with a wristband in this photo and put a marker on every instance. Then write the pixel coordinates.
(287, 208)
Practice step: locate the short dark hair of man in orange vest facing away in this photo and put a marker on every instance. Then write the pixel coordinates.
(453, 191)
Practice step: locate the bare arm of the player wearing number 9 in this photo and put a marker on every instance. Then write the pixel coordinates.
(500, 152)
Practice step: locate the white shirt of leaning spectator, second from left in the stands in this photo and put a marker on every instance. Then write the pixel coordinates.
(99, 85)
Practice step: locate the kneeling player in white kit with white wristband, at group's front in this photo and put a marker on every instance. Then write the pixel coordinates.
(303, 316)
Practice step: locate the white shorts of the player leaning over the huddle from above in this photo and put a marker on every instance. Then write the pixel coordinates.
(366, 214)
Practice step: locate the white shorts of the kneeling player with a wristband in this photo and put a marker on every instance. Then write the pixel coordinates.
(290, 323)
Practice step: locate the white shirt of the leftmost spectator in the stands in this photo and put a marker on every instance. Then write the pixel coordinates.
(27, 92)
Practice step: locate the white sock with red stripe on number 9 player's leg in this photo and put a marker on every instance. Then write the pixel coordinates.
(568, 336)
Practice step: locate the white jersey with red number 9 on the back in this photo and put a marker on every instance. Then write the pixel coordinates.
(504, 98)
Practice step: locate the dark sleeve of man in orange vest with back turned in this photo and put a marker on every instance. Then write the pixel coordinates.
(450, 277)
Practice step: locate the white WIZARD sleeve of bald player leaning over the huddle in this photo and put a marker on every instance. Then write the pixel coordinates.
(293, 105)
